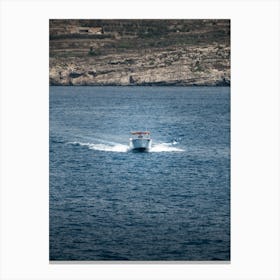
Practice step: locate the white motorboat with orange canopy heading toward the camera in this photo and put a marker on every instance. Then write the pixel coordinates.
(140, 141)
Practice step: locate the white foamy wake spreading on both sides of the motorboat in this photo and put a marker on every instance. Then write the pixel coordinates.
(120, 148)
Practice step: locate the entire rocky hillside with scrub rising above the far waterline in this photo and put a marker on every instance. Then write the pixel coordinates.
(135, 52)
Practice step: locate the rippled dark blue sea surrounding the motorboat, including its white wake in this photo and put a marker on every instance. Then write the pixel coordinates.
(109, 203)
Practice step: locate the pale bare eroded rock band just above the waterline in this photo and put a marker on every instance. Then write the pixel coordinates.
(179, 66)
